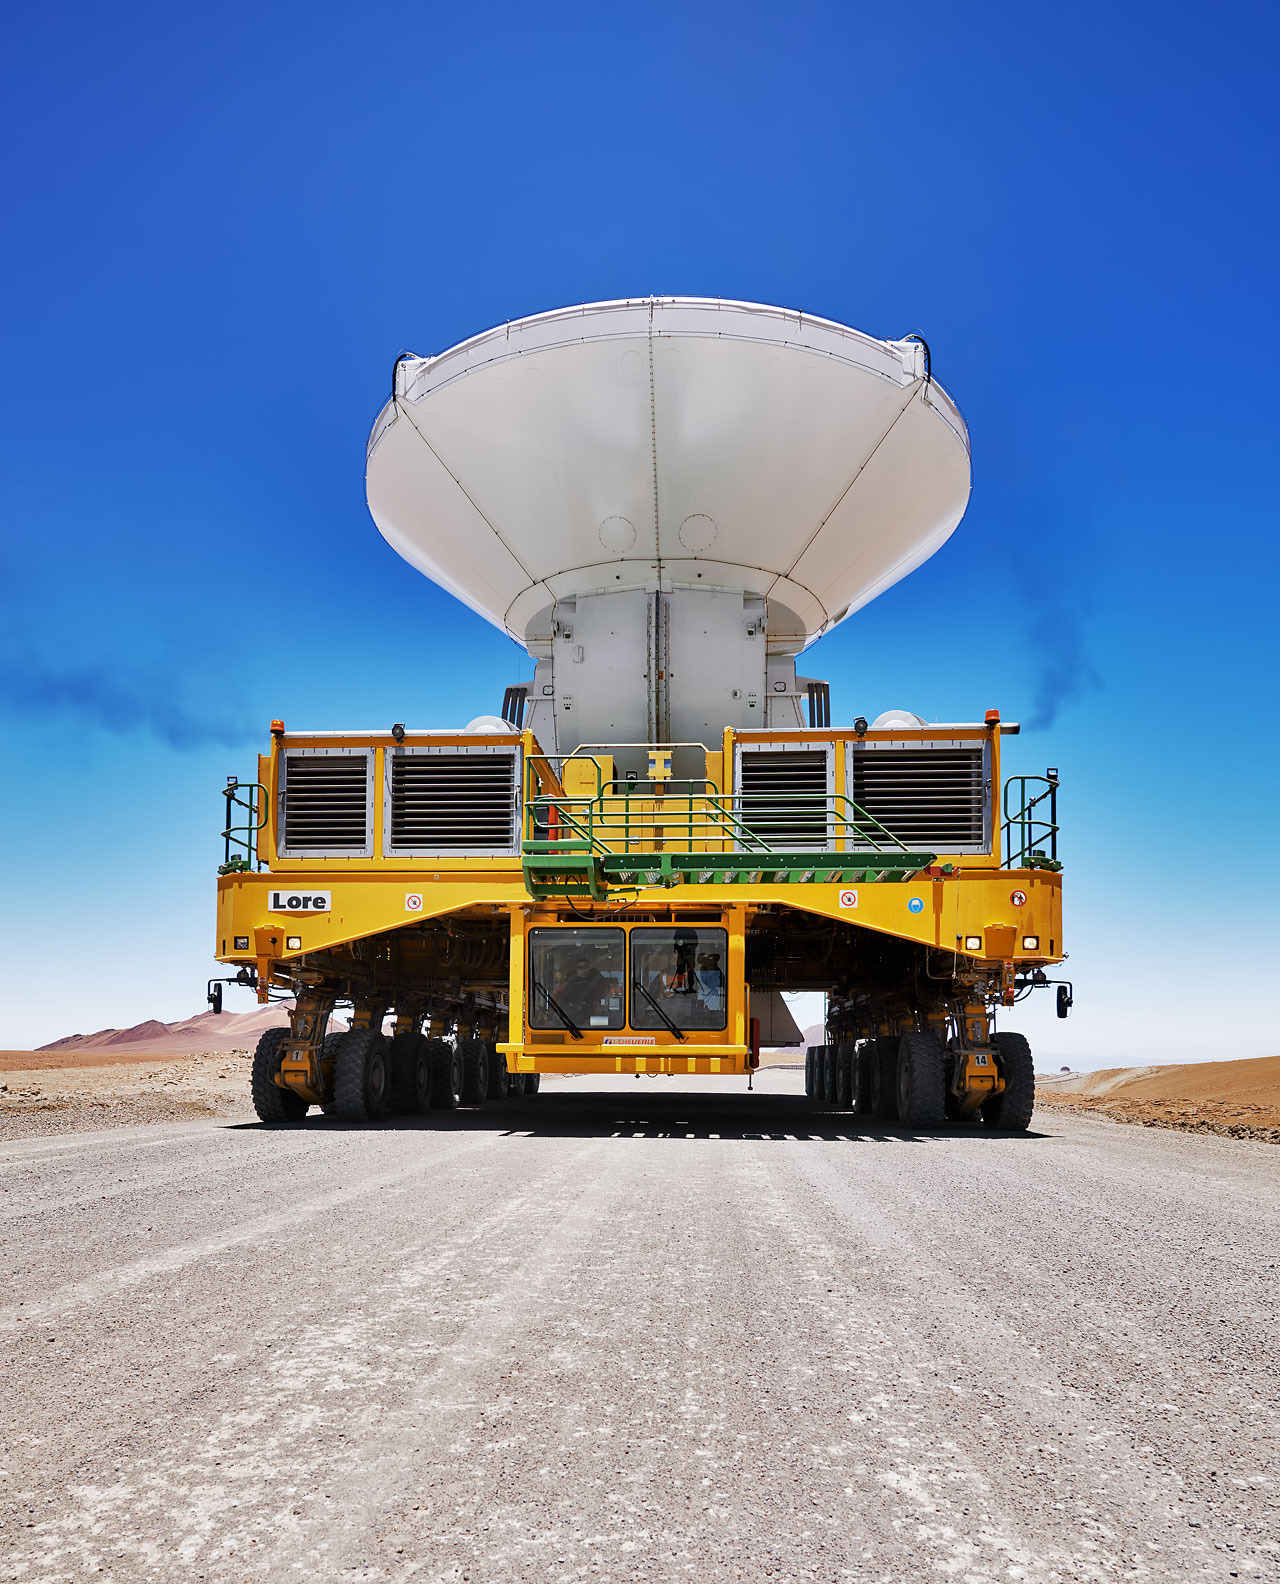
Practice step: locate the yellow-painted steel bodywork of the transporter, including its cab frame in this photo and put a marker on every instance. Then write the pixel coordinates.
(962, 897)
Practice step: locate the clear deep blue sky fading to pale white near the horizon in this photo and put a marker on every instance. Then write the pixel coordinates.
(226, 223)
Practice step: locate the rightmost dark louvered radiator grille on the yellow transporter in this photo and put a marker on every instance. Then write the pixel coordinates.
(931, 799)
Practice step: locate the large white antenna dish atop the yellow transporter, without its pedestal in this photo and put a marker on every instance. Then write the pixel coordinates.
(669, 444)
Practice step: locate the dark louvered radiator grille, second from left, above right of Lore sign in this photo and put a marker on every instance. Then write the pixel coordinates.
(454, 802)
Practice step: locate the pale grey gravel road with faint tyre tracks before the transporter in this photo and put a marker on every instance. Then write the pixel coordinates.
(639, 1331)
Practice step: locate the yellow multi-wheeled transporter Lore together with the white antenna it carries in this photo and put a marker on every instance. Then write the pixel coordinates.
(665, 501)
